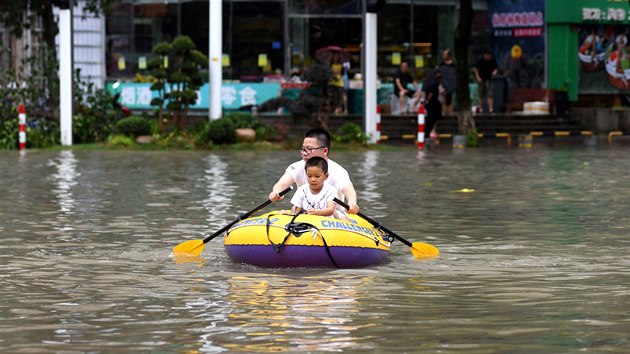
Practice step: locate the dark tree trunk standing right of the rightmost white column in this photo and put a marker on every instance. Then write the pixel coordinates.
(465, 119)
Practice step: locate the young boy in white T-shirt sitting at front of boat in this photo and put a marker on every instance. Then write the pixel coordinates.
(316, 197)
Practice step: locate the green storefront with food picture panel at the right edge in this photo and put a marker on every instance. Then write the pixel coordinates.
(587, 46)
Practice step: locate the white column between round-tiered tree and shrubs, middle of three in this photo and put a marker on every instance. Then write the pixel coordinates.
(216, 48)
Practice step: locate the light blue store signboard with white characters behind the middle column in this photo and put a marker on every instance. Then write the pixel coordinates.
(233, 95)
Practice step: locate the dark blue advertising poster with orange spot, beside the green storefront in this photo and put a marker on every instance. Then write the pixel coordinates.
(518, 40)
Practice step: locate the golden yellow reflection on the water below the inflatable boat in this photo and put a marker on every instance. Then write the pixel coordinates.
(279, 313)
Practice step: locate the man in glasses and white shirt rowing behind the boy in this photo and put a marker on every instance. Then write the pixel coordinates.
(317, 143)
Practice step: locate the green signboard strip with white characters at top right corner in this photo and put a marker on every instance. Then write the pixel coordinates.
(589, 11)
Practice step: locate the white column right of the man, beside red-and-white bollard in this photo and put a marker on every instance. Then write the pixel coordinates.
(369, 94)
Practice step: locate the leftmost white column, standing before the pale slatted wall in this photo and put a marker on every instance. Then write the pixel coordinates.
(65, 75)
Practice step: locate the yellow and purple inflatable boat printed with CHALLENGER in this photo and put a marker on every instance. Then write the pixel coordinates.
(284, 240)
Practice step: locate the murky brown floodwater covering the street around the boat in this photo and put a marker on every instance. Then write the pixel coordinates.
(534, 255)
